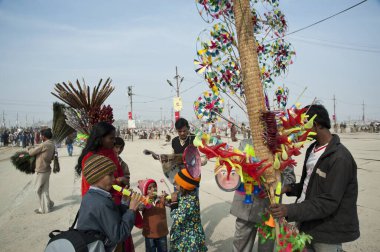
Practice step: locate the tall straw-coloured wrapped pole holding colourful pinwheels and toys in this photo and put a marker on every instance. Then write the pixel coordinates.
(253, 89)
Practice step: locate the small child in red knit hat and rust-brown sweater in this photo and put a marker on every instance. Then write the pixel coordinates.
(155, 227)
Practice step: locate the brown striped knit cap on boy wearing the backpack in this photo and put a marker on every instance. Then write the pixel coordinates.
(96, 167)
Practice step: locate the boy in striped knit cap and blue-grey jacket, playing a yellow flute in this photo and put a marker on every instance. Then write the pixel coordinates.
(98, 212)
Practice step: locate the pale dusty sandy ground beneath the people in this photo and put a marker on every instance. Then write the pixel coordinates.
(23, 230)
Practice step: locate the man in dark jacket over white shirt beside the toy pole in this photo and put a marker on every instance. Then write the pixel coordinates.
(328, 191)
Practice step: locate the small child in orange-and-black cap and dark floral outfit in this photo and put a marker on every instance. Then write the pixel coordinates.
(186, 233)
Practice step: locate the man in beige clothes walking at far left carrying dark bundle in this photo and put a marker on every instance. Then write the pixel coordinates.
(44, 155)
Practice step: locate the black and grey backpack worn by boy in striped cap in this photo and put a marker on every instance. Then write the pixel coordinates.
(74, 240)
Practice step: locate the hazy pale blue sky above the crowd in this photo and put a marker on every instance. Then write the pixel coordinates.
(139, 43)
